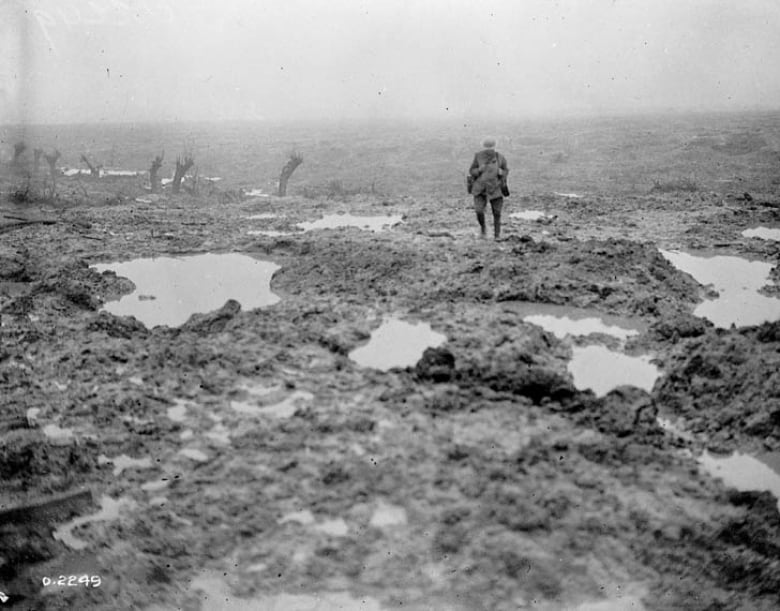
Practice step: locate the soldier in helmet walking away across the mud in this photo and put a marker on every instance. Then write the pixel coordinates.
(489, 172)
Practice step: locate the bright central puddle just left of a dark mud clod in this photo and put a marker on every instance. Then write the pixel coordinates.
(396, 344)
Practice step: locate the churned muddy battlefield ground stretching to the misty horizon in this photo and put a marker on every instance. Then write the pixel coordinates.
(244, 459)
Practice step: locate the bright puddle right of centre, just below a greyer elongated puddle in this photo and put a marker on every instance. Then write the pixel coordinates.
(600, 370)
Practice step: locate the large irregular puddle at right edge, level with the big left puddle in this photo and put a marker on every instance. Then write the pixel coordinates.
(738, 281)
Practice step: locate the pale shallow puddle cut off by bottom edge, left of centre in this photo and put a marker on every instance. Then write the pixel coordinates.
(214, 594)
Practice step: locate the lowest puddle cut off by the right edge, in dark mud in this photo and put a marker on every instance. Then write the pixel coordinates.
(745, 472)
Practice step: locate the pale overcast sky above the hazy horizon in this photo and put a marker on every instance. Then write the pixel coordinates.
(128, 60)
